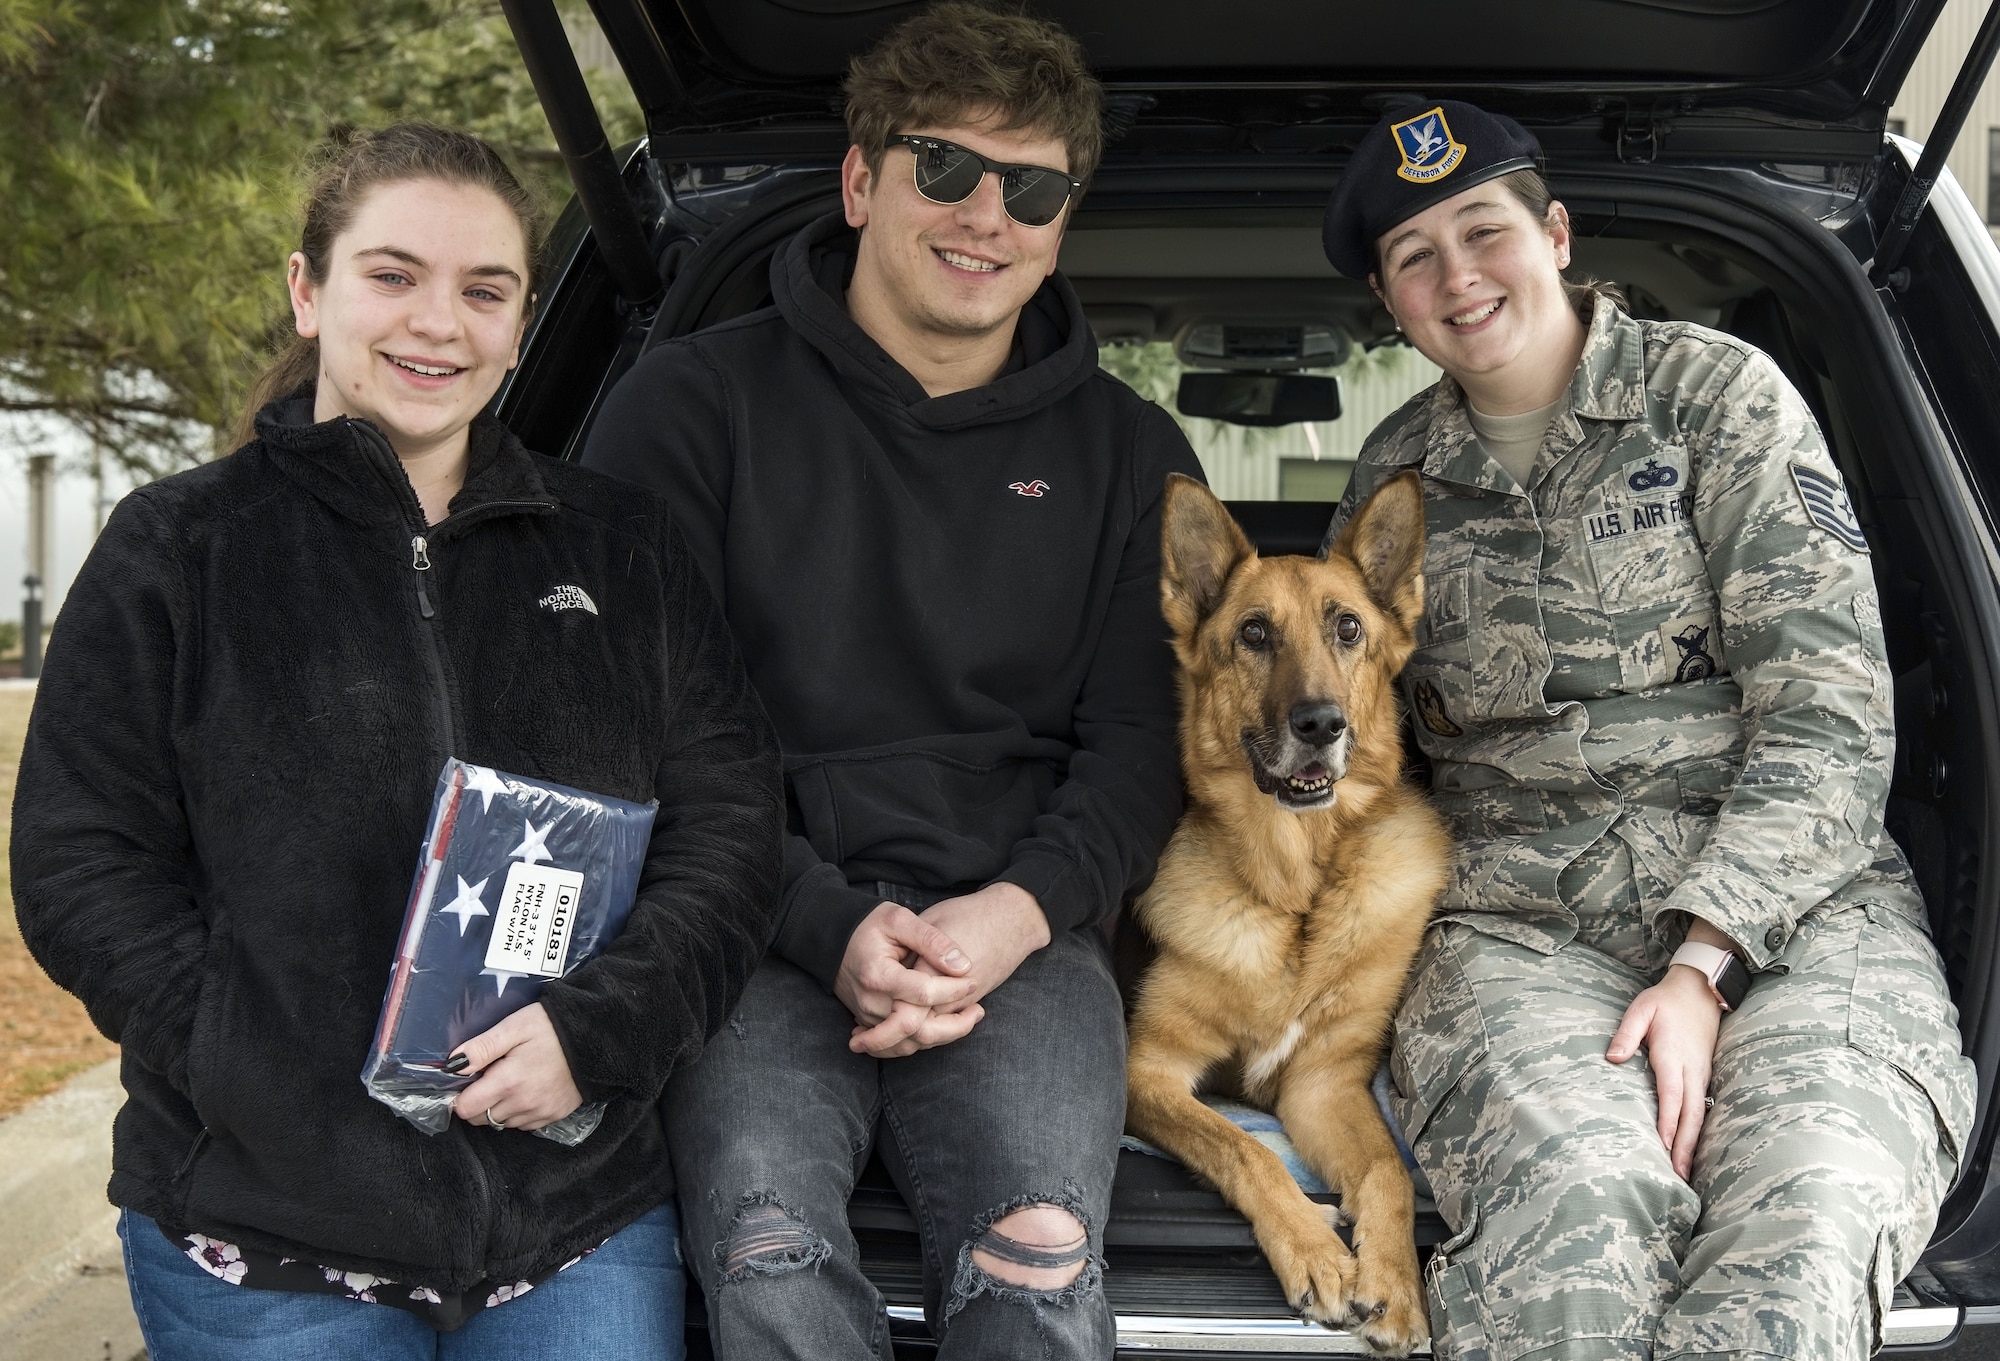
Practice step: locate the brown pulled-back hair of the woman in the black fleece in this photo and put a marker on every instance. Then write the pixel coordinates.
(355, 167)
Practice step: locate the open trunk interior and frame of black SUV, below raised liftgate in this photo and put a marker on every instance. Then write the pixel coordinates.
(1765, 255)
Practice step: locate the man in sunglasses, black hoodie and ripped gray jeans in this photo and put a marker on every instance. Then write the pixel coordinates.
(935, 527)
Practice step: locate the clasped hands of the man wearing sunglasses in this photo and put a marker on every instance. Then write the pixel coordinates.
(915, 980)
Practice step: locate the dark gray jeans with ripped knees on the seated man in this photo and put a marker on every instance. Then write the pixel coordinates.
(775, 1122)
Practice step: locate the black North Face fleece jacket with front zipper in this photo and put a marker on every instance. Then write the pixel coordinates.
(225, 790)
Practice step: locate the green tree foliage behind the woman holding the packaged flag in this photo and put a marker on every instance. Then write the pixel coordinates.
(151, 183)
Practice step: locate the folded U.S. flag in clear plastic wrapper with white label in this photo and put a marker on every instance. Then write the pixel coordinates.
(519, 884)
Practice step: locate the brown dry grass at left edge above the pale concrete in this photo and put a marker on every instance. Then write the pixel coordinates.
(45, 1036)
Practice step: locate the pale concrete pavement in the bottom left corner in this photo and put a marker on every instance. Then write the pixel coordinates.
(63, 1294)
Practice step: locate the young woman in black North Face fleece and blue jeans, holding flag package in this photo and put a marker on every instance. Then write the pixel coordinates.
(227, 780)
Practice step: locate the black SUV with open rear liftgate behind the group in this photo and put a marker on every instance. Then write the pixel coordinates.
(1725, 161)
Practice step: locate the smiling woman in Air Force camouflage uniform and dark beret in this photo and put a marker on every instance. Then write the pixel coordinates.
(1655, 696)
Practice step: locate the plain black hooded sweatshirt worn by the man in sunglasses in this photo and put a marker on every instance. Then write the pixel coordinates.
(949, 605)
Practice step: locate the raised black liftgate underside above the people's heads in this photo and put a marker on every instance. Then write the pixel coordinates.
(1803, 77)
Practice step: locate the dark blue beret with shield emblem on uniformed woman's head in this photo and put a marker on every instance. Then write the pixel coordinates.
(1413, 161)
